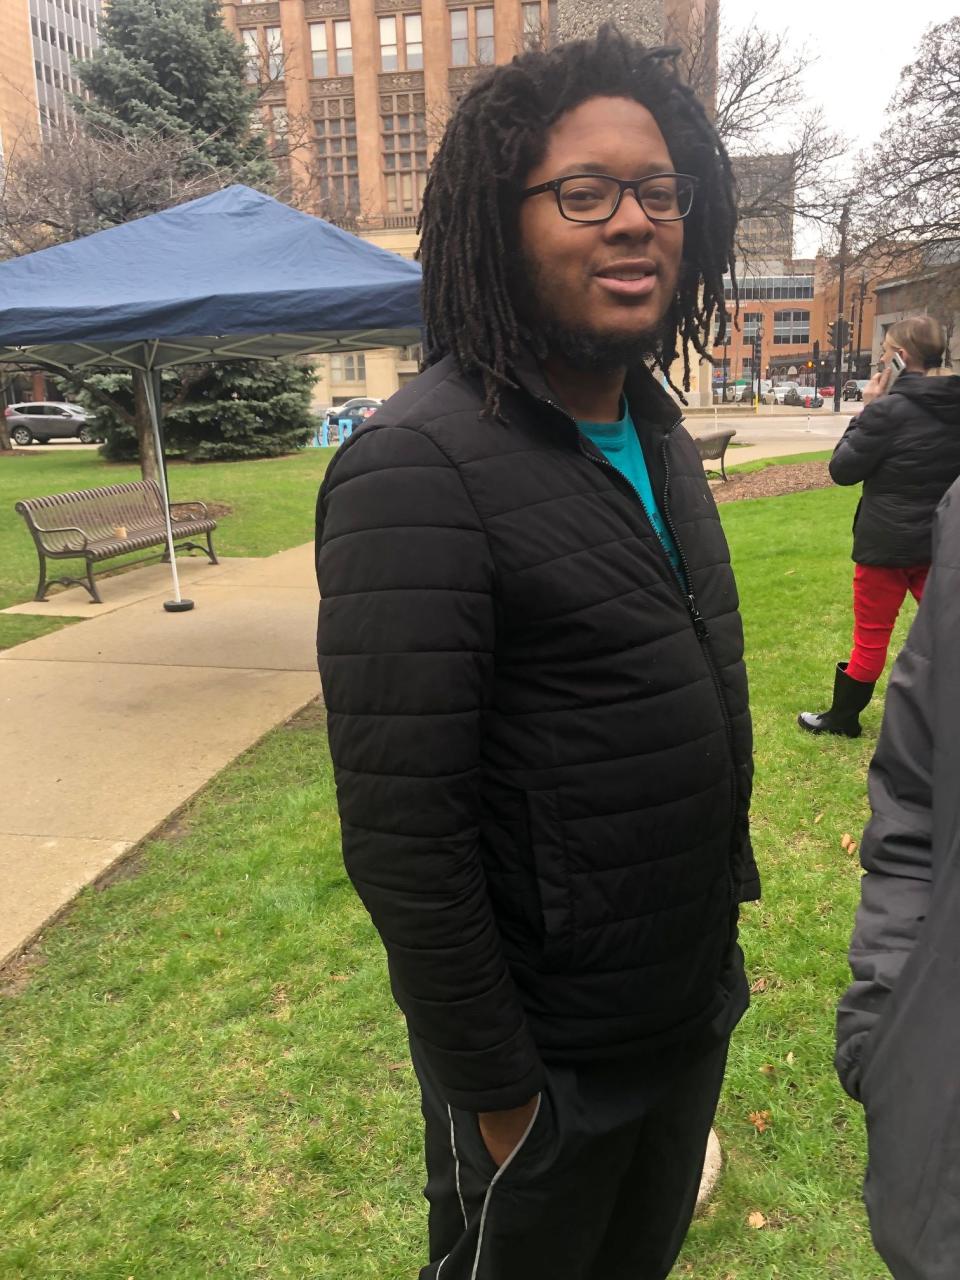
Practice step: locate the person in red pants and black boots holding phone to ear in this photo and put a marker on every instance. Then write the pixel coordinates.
(906, 449)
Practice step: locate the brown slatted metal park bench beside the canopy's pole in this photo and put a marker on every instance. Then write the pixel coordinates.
(115, 520)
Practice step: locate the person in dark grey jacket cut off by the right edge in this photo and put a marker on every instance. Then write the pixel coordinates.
(898, 1027)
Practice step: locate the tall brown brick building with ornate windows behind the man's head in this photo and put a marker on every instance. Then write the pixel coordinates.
(362, 89)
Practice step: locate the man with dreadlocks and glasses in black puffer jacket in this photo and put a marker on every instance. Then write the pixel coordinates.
(533, 666)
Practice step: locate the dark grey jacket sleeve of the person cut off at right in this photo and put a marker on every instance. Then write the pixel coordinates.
(895, 890)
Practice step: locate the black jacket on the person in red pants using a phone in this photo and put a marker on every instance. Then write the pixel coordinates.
(906, 447)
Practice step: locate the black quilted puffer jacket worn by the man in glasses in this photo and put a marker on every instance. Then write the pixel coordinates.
(542, 748)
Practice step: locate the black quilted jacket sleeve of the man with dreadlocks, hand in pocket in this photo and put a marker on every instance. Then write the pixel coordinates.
(405, 643)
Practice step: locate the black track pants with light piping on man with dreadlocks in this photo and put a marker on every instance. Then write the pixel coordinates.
(602, 1187)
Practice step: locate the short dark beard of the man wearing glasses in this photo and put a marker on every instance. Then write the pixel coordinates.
(579, 348)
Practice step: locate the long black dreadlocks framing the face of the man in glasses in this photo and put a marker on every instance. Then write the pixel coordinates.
(470, 218)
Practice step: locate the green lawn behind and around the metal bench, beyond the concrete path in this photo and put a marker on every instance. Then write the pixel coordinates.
(271, 501)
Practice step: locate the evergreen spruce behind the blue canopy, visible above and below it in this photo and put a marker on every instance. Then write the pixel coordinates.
(170, 68)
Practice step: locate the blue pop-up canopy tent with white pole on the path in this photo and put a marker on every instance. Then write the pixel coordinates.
(235, 276)
